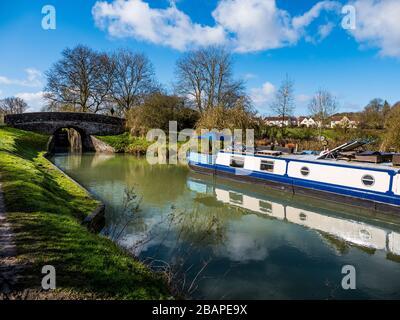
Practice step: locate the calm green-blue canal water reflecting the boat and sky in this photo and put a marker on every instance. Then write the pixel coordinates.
(220, 239)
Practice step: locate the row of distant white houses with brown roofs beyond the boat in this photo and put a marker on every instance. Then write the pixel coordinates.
(336, 121)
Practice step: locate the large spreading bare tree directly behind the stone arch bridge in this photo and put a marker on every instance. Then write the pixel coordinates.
(80, 81)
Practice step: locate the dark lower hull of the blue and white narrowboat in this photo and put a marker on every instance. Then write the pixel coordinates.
(289, 186)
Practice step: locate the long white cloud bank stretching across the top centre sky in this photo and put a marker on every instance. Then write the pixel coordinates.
(246, 25)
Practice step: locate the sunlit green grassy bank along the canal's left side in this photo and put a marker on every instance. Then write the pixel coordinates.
(45, 209)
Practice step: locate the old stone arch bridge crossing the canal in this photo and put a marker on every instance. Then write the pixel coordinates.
(54, 123)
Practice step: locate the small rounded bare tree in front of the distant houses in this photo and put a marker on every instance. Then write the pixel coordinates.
(322, 106)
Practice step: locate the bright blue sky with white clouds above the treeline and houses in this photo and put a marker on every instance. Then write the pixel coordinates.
(268, 38)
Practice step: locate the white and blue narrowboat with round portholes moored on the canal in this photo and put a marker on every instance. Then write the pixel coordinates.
(328, 175)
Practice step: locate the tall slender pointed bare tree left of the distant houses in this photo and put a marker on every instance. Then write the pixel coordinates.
(283, 104)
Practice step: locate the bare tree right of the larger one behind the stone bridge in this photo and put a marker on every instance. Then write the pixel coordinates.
(133, 79)
